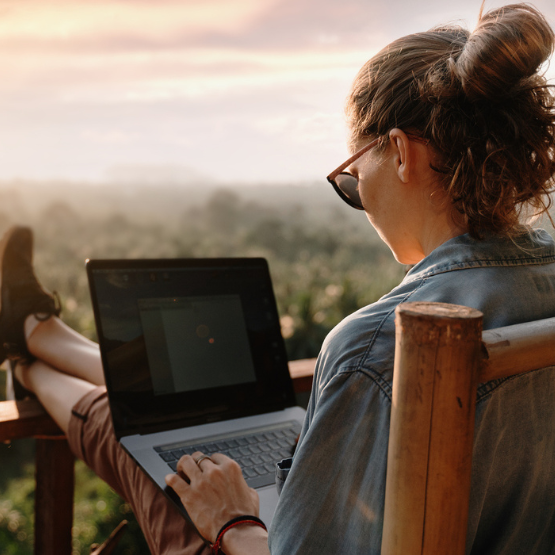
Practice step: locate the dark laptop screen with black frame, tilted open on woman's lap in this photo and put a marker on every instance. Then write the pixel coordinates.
(188, 341)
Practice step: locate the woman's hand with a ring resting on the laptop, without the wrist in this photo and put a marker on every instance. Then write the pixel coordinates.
(213, 492)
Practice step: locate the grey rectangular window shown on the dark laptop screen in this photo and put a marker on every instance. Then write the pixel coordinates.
(196, 343)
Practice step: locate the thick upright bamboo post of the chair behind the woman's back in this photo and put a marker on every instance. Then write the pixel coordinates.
(437, 355)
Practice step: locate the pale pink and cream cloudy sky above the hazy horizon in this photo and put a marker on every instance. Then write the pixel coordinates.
(231, 91)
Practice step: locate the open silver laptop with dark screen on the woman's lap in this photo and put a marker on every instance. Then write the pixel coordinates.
(194, 360)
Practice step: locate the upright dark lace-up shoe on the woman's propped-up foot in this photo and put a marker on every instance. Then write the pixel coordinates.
(20, 293)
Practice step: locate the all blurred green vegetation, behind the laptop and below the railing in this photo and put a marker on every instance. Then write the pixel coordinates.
(326, 261)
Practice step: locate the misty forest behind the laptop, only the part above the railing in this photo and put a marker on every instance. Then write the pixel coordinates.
(325, 259)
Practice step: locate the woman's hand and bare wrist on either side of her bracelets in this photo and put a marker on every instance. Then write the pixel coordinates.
(213, 492)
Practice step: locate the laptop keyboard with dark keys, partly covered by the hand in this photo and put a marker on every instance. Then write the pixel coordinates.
(256, 451)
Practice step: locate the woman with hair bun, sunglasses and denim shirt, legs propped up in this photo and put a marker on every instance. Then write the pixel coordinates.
(453, 137)
